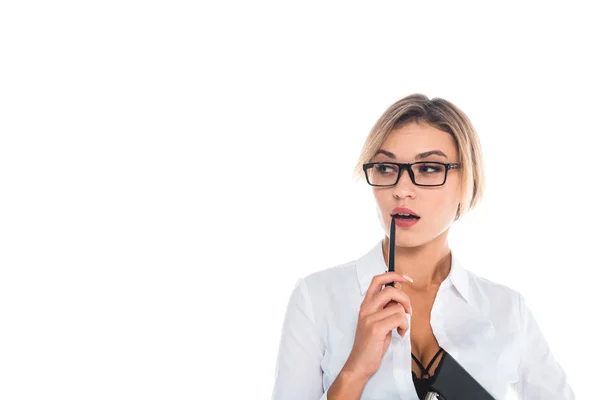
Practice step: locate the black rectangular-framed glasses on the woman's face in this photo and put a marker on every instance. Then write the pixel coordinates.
(422, 173)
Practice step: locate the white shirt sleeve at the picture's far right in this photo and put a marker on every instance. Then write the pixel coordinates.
(540, 375)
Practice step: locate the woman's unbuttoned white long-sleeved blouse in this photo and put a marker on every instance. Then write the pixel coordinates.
(485, 326)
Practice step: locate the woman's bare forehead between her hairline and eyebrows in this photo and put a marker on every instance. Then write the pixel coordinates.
(412, 139)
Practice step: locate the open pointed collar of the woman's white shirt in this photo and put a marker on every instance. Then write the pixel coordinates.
(373, 263)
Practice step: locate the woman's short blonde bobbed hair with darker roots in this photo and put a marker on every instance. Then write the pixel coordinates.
(444, 116)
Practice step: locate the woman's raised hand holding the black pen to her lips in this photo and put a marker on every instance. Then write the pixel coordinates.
(381, 311)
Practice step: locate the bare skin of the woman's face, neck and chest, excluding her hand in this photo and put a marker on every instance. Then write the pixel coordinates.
(422, 251)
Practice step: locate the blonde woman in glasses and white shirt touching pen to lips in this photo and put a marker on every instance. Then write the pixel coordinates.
(344, 337)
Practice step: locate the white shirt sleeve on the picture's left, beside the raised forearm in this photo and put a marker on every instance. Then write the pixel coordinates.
(298, 374)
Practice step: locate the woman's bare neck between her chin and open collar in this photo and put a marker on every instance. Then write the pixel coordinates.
(428, 264)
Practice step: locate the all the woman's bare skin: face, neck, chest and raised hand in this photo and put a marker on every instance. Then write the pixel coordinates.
(422, 254)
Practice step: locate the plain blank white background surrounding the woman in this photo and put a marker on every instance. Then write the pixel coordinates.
(168, 170)
